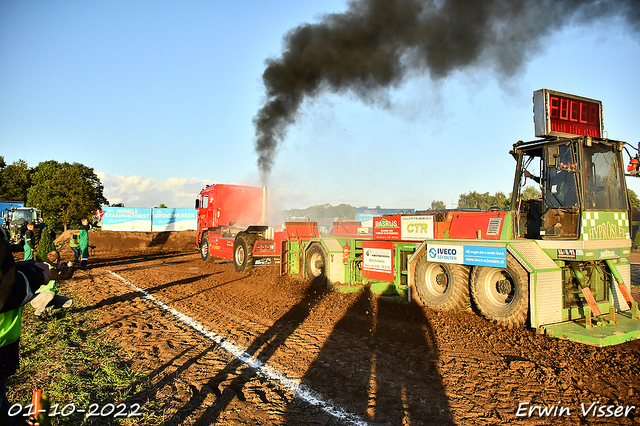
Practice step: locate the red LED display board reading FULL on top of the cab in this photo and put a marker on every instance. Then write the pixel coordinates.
(558, 113)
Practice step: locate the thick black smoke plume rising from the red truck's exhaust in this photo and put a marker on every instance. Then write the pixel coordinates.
(374, 45)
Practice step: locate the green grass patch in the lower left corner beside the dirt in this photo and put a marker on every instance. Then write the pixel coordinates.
(76, 364)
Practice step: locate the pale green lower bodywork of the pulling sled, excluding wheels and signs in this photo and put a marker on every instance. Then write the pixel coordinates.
(545, 261)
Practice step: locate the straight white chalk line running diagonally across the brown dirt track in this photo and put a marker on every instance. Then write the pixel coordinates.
(299, 390)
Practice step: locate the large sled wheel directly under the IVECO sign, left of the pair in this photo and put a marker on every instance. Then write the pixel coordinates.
(442, 286)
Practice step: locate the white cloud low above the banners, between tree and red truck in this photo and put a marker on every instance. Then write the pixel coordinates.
(140, 191)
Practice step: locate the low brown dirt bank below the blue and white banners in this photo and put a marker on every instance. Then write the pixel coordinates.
(118, 240)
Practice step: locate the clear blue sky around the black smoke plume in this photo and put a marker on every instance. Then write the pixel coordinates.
(158, 98)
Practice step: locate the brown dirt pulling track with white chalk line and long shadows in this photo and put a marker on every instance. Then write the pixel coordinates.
(358, 359)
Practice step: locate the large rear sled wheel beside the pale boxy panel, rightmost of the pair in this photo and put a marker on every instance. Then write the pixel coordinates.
(502, 295)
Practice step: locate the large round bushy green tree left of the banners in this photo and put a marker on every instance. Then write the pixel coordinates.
(65, 193)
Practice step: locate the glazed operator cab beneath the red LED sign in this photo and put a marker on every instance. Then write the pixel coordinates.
(570, 175)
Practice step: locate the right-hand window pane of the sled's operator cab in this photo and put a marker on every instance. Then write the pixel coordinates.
(603, 185)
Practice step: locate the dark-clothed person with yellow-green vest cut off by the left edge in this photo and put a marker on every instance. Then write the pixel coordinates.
(18, 283)
